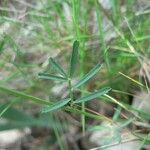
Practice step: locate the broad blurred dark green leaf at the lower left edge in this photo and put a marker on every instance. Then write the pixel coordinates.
(17, 119)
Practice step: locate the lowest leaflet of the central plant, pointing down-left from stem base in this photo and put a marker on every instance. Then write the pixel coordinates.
(55, 106)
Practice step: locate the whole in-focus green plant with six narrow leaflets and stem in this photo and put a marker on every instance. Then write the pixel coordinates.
(67, 77)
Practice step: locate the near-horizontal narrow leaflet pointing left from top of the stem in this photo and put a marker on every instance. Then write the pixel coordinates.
(51, 77)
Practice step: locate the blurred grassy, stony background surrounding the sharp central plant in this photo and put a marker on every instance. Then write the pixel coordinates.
(115, 33)
